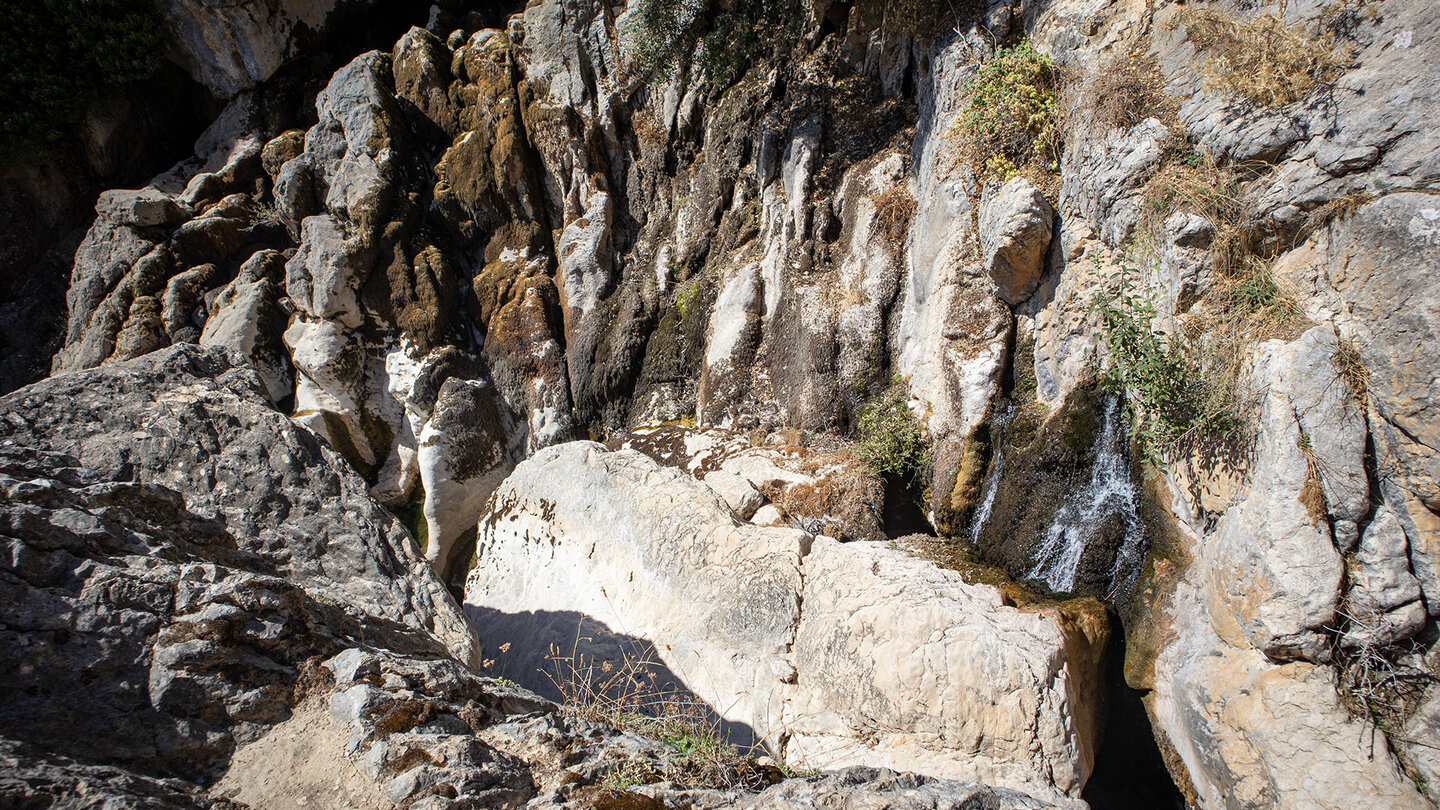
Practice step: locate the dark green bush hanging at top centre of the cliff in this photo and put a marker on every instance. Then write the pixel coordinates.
(660, 37)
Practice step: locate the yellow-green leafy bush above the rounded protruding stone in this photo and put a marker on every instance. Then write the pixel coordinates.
(1012, 113)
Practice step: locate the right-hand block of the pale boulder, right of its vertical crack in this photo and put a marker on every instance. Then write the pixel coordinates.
(904, 665)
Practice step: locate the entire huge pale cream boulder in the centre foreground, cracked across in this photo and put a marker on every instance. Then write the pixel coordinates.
(832, 654)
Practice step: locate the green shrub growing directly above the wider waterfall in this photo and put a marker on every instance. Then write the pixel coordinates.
(1166, 386)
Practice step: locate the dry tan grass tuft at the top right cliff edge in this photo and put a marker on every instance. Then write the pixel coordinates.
(1264, 60)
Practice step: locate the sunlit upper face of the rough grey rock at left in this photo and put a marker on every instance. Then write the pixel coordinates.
(368, 561)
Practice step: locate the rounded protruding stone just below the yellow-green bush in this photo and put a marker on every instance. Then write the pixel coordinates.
(1016, 230)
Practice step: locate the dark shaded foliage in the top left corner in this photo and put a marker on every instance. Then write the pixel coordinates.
(60, 55)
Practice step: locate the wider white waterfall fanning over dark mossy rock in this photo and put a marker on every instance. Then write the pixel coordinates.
(1108, 492)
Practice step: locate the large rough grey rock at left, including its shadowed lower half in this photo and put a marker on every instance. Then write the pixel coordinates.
(194, 550)
